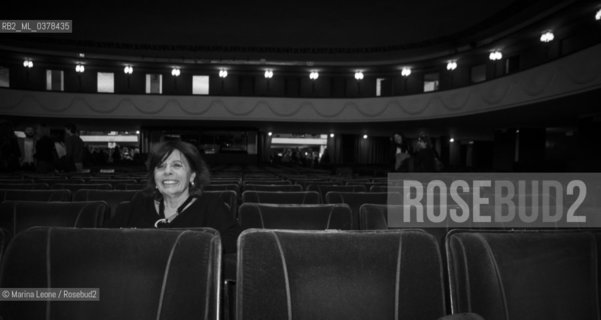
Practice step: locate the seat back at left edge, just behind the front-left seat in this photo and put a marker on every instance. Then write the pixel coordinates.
(16, 216)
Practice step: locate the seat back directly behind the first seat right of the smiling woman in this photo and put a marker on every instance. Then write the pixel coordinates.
(281, 197)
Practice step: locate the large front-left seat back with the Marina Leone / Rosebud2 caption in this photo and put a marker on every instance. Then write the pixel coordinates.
(140, 273)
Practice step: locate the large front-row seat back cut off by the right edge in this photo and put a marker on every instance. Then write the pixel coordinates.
(524, 274)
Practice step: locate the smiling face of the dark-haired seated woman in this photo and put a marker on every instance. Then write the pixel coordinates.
(173, 175)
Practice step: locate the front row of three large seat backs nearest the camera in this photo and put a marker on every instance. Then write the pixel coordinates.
(286, 274)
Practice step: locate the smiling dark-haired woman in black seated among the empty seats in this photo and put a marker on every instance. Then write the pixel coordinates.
(174, 197)
